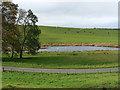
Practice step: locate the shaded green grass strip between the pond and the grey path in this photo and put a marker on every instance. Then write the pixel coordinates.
(66, 60)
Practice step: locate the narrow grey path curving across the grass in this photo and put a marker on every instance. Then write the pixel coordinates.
(61, 70)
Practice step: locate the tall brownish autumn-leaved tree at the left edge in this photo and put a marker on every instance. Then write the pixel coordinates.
(10, 32)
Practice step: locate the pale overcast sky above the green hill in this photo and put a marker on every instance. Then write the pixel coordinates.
(69, 13)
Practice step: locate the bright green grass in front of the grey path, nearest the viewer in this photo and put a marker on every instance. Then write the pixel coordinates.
(12, 79)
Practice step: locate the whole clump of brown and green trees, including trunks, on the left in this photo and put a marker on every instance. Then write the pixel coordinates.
(19, 30)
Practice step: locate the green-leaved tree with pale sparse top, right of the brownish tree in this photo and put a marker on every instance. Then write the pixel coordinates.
(30, 31)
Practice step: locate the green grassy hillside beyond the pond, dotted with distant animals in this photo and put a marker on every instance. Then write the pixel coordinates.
(76, 35)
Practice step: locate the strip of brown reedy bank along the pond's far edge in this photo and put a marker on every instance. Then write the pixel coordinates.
(81, 44)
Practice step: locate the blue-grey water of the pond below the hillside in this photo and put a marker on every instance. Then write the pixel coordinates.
(75, 48)
